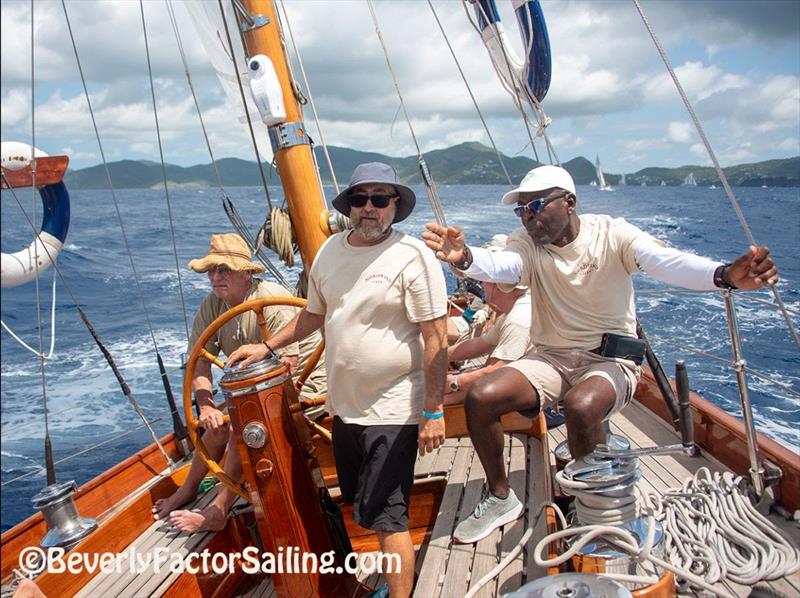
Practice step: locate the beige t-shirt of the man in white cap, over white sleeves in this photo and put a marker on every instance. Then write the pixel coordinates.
(584, 289)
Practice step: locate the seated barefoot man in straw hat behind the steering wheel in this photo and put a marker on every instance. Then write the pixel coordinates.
(231, 273)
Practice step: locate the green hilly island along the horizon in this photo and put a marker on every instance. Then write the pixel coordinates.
(468, 163)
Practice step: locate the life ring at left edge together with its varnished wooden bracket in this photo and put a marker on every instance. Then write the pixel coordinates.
(20, 267)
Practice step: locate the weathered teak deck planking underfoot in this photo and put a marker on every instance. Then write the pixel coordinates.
(445, 569)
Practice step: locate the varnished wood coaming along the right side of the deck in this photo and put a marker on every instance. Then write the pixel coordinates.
(724, 436)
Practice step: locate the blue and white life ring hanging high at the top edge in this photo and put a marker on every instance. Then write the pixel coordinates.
(535, 79)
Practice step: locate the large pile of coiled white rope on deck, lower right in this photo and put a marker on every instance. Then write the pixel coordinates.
(711, 526)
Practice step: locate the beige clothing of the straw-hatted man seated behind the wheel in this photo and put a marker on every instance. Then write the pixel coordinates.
(244, 329)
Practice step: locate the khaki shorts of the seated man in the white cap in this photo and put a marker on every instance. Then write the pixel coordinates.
(553, 372)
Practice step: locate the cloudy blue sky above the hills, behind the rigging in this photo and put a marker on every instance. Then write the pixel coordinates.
(610, 95)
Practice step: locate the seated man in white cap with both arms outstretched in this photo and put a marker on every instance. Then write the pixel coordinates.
(583, 320)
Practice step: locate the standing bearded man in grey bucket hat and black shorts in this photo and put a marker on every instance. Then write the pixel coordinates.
(382, 299)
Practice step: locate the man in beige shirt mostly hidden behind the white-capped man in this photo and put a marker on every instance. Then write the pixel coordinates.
(506, 341)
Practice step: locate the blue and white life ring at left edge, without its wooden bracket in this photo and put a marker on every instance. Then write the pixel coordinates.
(20, 267)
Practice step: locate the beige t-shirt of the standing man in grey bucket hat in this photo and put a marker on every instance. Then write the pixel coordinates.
(373, 299)
